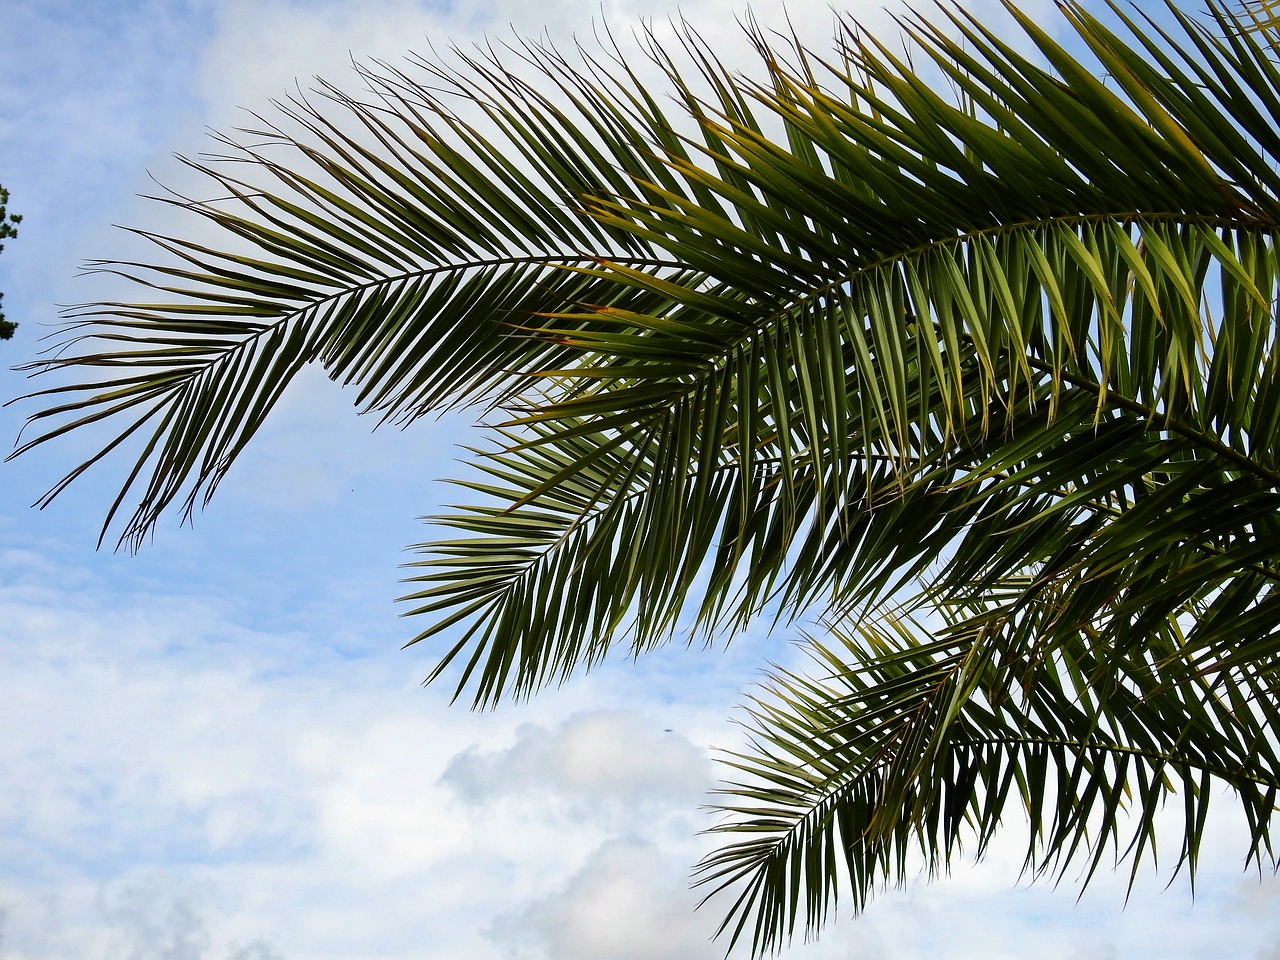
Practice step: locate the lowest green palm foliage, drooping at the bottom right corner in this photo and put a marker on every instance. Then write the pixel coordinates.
(913, 744)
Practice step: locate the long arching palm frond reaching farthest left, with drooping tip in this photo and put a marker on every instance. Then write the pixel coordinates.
(397, 245)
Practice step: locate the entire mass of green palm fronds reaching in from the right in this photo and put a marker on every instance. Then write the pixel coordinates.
(985, 382)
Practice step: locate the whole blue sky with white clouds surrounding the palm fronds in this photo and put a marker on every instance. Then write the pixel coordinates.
(217, 751)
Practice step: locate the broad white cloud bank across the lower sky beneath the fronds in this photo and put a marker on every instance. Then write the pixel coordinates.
(190, 788)
